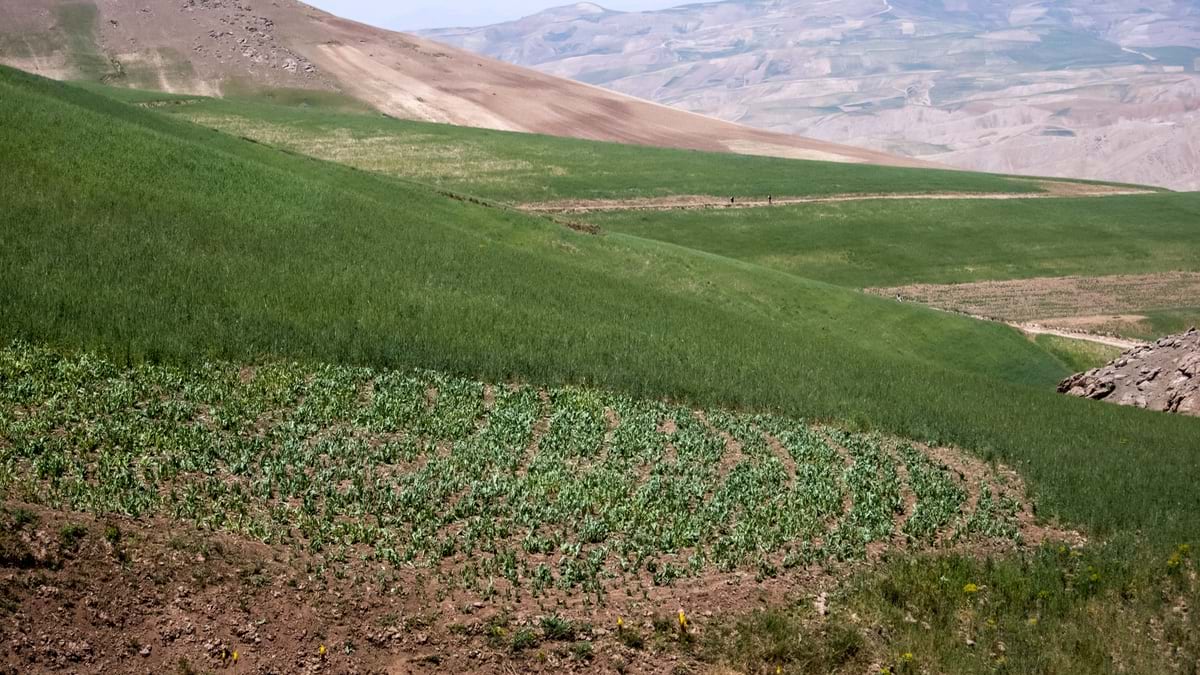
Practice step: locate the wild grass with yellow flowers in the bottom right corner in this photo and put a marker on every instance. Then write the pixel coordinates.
(1055, 610)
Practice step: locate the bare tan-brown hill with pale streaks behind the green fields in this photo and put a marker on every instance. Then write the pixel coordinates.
(218, 47)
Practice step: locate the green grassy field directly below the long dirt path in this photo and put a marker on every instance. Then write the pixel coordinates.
(880, 243)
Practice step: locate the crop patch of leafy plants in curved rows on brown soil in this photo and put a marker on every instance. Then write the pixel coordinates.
(500, 489)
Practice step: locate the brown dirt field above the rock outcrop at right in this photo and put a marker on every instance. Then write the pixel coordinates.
(1072, 303)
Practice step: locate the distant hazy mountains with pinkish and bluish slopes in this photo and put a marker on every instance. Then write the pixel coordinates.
(1106, 89)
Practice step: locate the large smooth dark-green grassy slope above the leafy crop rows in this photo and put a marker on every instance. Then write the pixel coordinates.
(133, 232)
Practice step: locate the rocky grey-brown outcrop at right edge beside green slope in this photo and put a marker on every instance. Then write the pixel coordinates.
(1165, 377)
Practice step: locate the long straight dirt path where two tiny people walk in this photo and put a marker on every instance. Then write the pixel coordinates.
(697, 202)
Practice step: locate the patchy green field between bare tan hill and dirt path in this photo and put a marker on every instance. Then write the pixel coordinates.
(521, 168)
